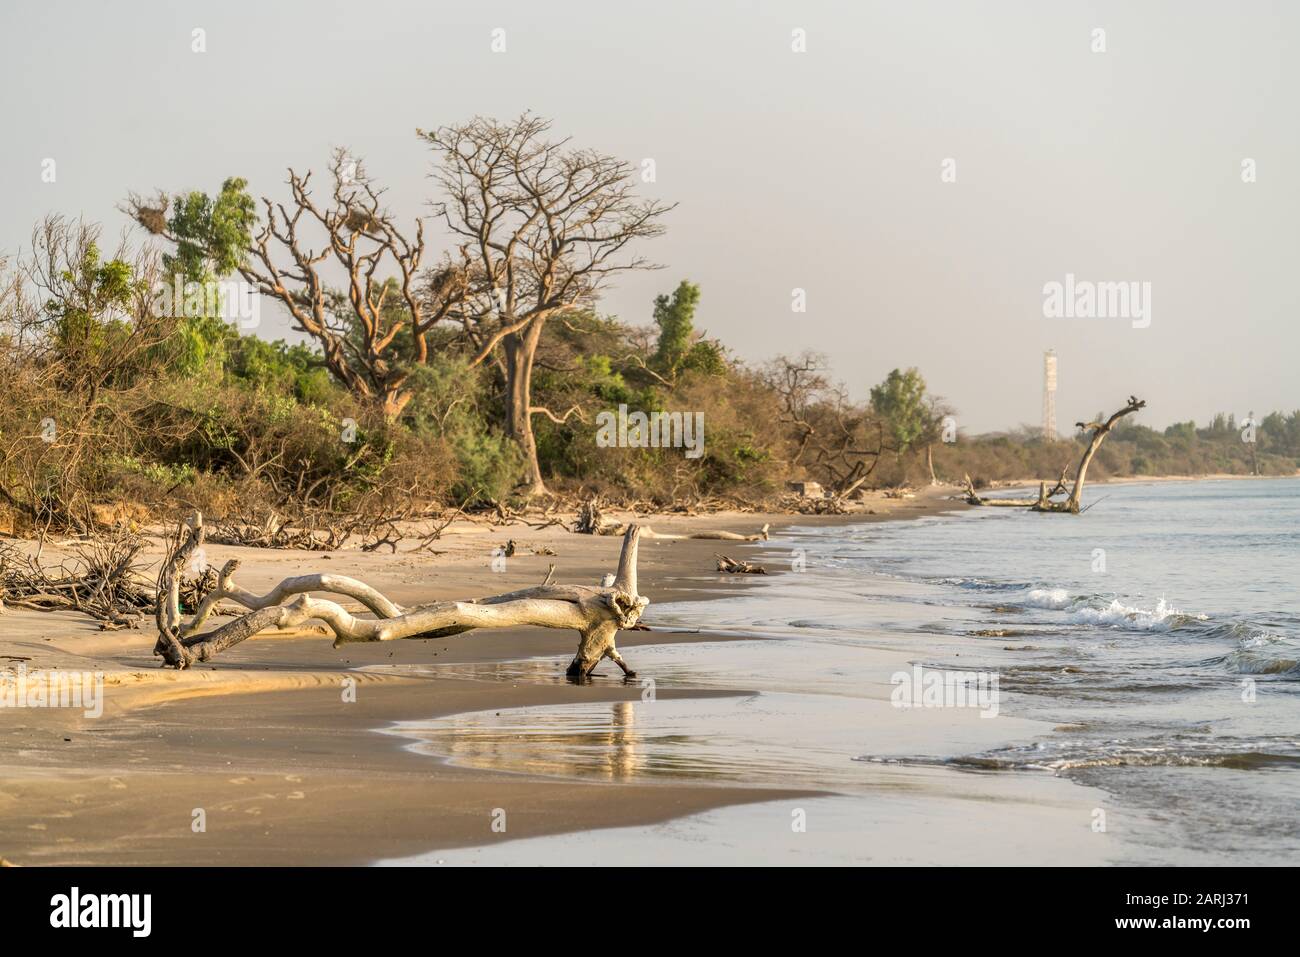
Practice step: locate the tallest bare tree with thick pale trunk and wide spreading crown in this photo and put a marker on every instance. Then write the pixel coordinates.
(543, 227)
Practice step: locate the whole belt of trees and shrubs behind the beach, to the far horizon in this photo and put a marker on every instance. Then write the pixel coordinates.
(135, 383)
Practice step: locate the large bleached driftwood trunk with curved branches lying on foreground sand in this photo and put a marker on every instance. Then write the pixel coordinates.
(595, 613)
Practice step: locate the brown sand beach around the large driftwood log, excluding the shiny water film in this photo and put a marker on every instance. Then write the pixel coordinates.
(285, 770)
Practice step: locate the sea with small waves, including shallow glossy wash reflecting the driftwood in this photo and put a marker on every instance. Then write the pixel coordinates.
(1147, 657)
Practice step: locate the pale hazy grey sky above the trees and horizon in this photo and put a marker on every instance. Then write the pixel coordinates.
(820, 171)
